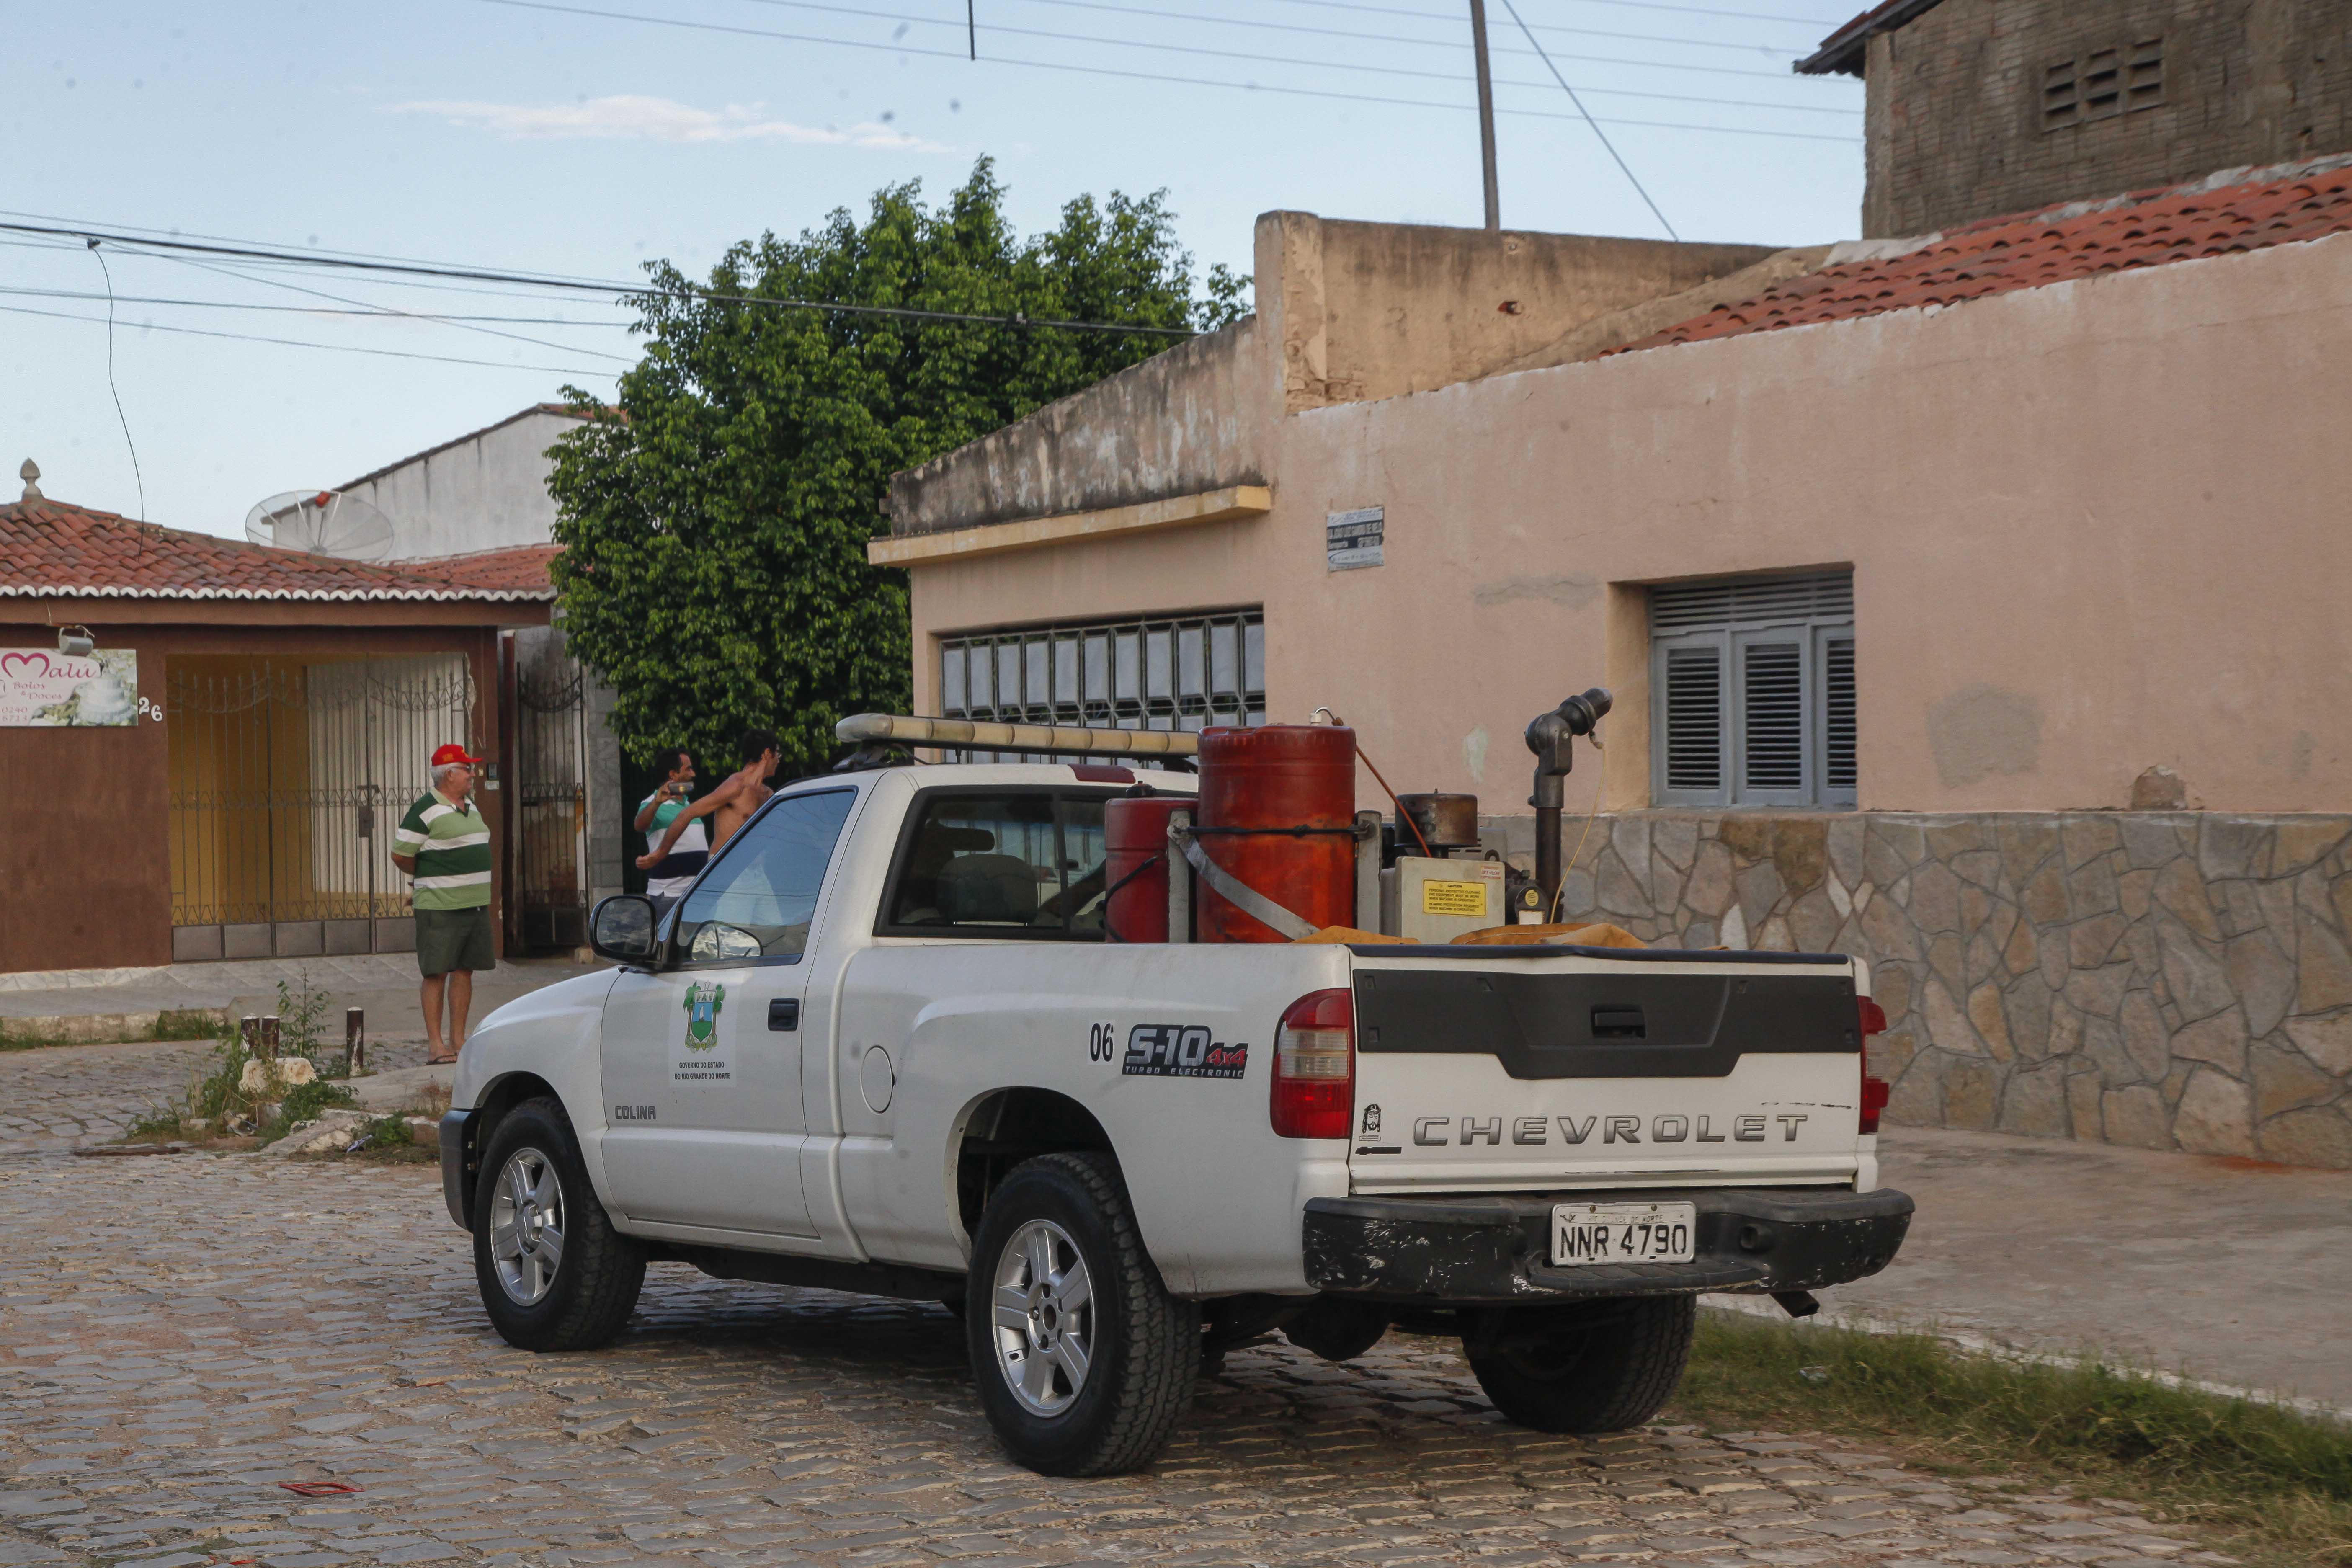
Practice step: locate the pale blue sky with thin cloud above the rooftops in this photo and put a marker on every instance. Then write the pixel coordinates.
(559, 140)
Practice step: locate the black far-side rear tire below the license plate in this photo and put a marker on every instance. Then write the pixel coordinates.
(1593, 1367)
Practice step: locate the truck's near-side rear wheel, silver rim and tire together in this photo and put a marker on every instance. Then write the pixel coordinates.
(1081, 1355)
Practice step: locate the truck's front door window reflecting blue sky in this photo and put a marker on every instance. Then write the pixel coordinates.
(759, 899)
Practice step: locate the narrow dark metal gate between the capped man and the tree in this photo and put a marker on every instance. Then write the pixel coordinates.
(549, 902)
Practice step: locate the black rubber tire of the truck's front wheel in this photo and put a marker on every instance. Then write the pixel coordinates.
(594, 1278)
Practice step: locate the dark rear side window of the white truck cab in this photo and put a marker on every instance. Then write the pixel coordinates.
(1003, 864)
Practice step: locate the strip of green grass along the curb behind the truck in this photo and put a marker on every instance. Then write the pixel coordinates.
(2273, 1482)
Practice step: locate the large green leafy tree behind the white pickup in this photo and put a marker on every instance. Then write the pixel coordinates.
(716, 518)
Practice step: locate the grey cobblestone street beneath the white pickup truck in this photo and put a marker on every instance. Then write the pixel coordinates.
(236, 1325)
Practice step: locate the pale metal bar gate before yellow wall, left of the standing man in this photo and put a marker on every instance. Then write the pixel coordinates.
(286, 784)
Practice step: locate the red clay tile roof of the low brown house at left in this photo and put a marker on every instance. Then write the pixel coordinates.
(60, 551)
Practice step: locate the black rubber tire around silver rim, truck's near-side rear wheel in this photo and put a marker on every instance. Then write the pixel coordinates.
(1142, 1343)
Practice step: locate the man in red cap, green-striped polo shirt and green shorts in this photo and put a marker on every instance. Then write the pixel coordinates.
(443, 845)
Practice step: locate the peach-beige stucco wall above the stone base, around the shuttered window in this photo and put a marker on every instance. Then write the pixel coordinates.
(2094, 528)
